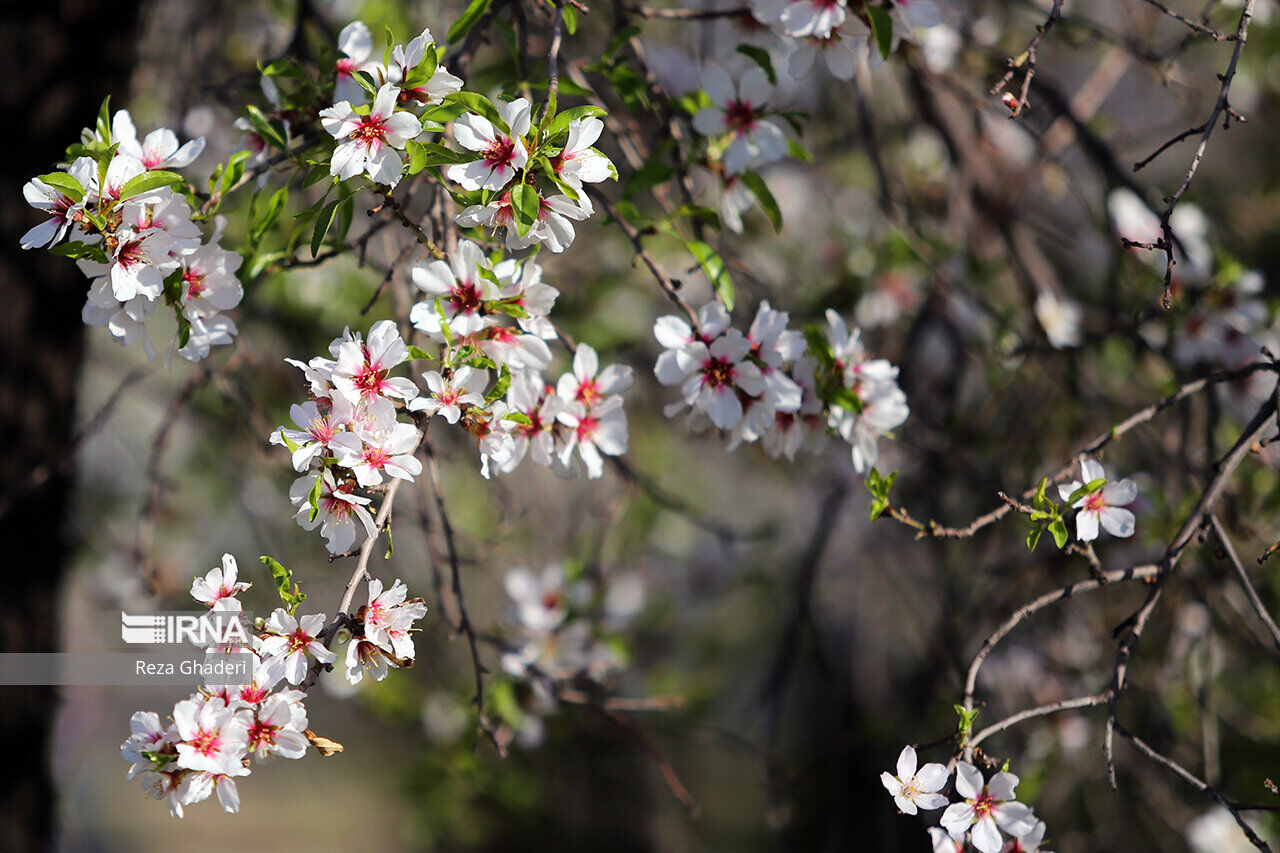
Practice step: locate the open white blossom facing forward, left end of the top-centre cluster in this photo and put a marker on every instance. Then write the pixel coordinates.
(369, 143)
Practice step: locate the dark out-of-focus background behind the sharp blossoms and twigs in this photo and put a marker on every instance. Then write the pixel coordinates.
(790, 645)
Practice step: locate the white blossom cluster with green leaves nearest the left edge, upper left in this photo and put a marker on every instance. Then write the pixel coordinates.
(129, 222)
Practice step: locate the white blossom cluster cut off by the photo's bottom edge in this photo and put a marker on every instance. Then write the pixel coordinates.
(986, 808)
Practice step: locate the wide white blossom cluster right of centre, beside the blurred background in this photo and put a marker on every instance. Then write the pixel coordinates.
(779, 386)
